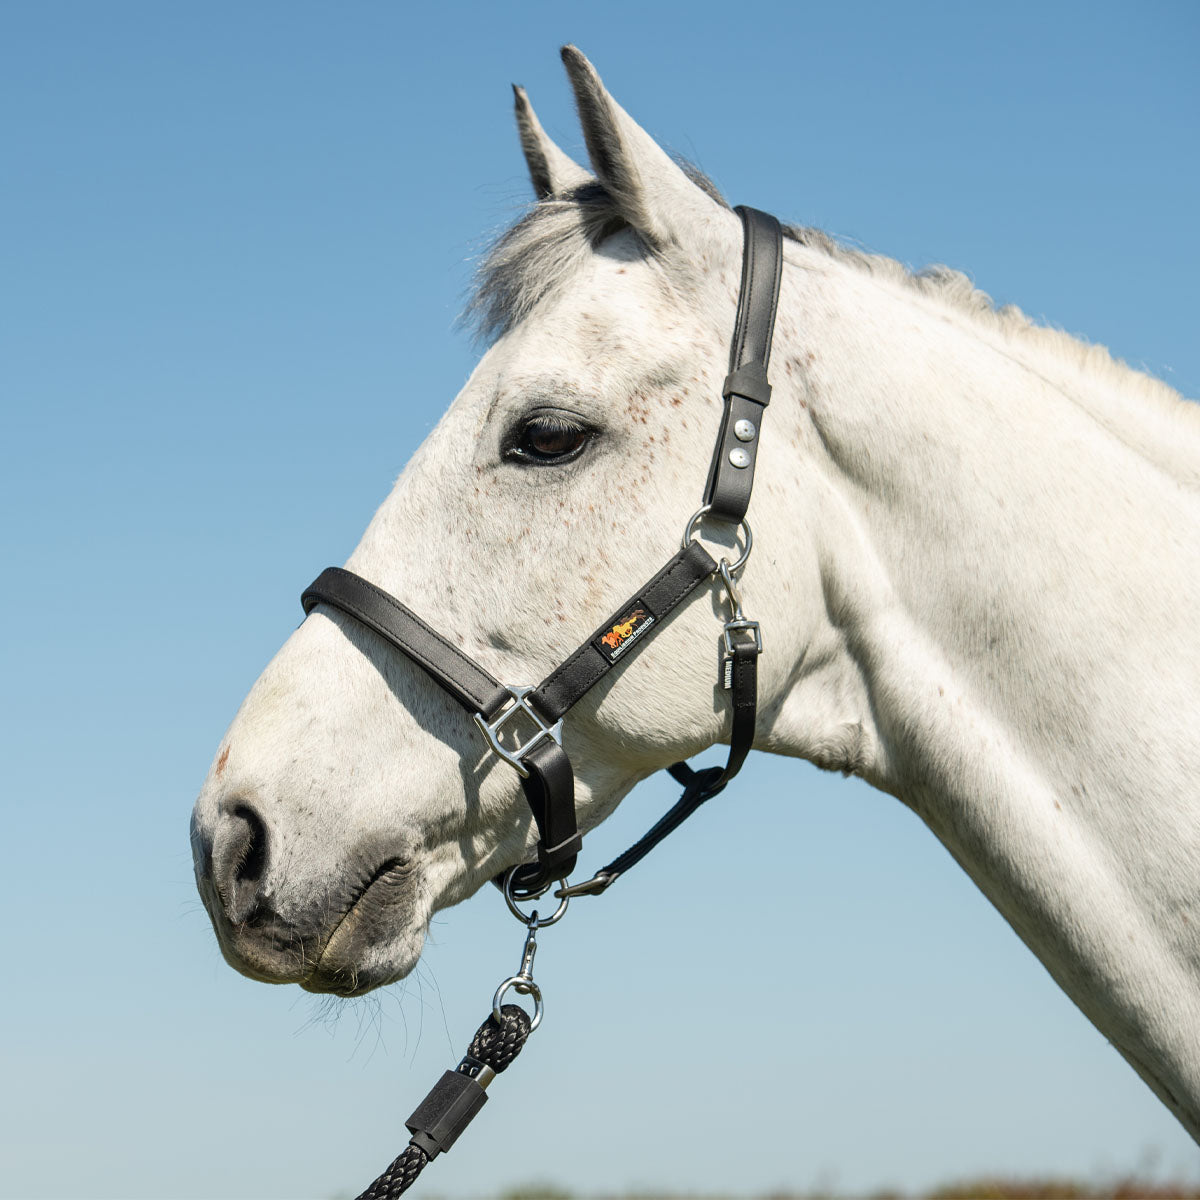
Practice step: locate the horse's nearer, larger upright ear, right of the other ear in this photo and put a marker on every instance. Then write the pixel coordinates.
(650, 188)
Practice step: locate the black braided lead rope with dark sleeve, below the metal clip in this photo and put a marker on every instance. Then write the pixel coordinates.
(457, 1099)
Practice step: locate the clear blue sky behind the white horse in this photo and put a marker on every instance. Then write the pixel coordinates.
(236, 239)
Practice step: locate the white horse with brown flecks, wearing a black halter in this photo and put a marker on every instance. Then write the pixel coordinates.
(977, 565)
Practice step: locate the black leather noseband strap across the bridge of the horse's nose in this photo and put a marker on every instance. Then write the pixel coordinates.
(466, 681)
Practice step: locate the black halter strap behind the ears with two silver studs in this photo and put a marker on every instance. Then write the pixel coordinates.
(747, 391)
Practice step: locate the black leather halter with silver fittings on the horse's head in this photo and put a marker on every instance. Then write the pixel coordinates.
(539, 759)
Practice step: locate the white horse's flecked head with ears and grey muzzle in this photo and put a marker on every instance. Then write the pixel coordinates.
(351, 800)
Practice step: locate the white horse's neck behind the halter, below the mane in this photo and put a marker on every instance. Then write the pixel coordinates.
(1005, 635)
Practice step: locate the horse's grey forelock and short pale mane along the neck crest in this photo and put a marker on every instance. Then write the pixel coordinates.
(544, 249)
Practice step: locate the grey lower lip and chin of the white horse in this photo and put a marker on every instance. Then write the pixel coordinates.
(367, 947)
